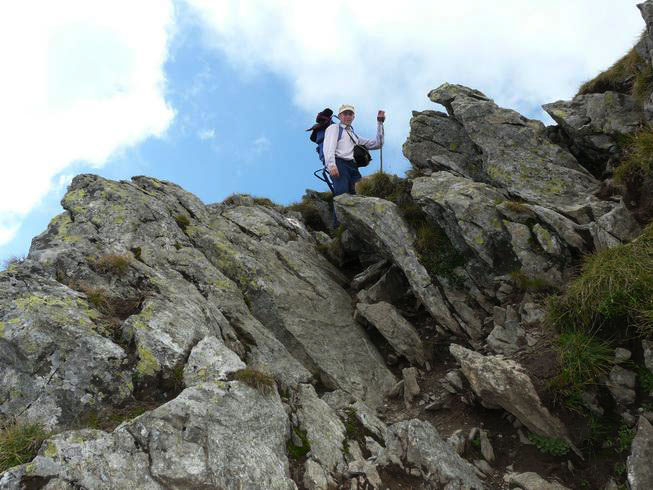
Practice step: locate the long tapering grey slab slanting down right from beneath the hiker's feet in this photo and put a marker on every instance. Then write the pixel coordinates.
(378, 222)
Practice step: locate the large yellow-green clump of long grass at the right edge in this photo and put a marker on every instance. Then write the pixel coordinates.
(615, 286)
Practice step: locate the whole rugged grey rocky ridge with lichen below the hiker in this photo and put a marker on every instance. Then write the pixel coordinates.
(265, 353)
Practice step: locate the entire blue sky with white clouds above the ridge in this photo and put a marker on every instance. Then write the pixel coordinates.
(214, 95)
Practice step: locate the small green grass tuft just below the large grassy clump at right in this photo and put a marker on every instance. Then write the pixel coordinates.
(583, 358)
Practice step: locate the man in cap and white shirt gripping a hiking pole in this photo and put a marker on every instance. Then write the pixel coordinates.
(338, 149)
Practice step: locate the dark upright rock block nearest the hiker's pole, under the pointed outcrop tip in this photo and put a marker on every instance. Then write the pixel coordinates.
(437, 142)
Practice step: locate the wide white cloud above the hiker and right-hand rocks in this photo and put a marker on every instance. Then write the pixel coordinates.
(522, 53)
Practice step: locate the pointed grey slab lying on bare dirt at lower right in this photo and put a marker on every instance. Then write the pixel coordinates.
(503, 383)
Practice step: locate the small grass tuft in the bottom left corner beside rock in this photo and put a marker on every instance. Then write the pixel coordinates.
(19, 443)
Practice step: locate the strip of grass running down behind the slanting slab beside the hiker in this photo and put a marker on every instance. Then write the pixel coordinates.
(435, 251)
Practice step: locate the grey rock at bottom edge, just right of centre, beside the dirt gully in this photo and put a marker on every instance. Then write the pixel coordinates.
(417, 444)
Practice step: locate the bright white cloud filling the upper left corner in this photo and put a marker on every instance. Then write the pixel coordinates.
(81, 80)
